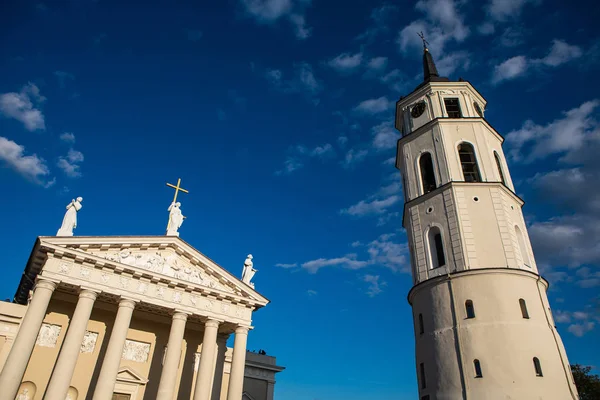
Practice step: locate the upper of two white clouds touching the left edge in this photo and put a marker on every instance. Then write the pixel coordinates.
(22, 107)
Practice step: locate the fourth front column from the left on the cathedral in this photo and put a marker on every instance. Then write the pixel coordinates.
(168, 376)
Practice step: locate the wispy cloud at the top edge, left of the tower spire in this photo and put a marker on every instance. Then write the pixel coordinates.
(269, 11)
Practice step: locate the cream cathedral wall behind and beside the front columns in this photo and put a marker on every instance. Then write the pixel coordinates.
(144, 328)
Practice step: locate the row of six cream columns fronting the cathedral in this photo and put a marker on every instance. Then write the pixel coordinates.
(208, 378)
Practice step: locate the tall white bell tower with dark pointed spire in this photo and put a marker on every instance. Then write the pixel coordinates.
(483, 325)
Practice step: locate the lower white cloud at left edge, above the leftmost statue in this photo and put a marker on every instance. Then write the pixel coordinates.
(31, 167)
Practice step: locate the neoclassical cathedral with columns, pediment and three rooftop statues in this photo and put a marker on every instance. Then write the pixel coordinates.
(130, 318)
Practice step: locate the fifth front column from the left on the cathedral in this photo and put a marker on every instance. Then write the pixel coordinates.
(206, 369)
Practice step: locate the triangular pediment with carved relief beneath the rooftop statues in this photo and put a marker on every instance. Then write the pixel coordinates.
(163, 257)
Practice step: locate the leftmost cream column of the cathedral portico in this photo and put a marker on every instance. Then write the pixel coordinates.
(18, 358)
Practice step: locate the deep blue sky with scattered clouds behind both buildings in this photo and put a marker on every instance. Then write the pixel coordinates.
(277, 115)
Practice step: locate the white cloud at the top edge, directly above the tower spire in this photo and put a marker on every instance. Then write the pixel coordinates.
(442, 24)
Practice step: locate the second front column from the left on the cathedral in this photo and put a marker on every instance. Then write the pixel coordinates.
(69, 352)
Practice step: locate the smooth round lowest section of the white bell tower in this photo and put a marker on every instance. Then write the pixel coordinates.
(499, 337)
